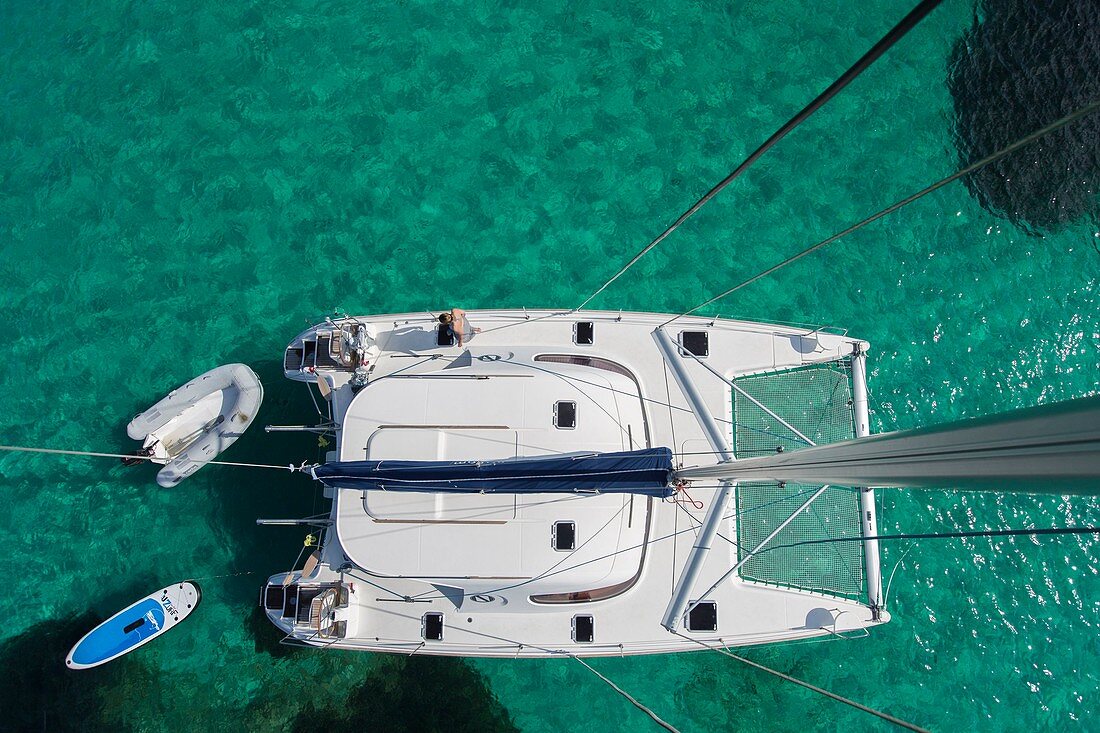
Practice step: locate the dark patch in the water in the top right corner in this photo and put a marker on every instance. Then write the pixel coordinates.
(1020, 67)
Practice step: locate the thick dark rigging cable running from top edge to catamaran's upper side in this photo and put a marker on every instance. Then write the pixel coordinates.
(896, 35)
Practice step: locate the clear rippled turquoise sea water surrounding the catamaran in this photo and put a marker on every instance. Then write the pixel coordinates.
(186, 184)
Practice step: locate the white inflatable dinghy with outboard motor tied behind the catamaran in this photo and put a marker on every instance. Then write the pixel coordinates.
(190, 428)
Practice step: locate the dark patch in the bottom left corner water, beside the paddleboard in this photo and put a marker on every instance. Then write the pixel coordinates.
(39, 694)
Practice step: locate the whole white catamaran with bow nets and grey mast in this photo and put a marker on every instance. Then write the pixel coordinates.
(598, 484)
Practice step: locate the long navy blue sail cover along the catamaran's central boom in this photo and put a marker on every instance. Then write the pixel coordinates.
(636, 472)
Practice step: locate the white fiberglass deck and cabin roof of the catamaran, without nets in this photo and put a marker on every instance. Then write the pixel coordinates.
(488, 563)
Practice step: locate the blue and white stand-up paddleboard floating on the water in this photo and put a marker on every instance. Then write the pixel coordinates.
(135, 626)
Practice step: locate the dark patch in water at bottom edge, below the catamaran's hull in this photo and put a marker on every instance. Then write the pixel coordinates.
(414, 694)
